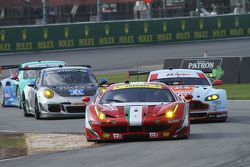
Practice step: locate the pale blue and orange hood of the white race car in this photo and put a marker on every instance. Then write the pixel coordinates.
(199, 92)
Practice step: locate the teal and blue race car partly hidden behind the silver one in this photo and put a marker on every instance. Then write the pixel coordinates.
(11, 88)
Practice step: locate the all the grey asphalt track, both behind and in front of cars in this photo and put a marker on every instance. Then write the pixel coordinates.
(210, 144)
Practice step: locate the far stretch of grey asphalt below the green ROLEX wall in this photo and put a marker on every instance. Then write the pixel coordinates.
(129, 57)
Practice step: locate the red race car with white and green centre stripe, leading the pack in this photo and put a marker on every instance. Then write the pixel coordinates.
(137, 109)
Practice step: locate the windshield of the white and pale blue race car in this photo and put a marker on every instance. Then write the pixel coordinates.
(184, 81)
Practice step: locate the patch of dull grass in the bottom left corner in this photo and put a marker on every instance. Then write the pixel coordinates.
(12, 145)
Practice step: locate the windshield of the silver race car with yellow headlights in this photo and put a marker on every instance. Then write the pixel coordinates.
(68, 76)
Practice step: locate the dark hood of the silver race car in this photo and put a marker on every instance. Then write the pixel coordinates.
(75, 90)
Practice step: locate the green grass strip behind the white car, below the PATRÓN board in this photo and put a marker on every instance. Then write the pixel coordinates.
(234, 91)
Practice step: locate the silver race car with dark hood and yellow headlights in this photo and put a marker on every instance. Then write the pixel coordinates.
(58, 92)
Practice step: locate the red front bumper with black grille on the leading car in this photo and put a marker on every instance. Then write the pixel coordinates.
(123, 131)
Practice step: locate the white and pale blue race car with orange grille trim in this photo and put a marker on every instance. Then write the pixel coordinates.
(208, 103)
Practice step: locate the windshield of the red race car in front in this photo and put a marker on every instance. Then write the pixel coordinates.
(137, 95)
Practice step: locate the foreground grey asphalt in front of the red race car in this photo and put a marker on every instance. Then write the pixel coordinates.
(209, 145)
